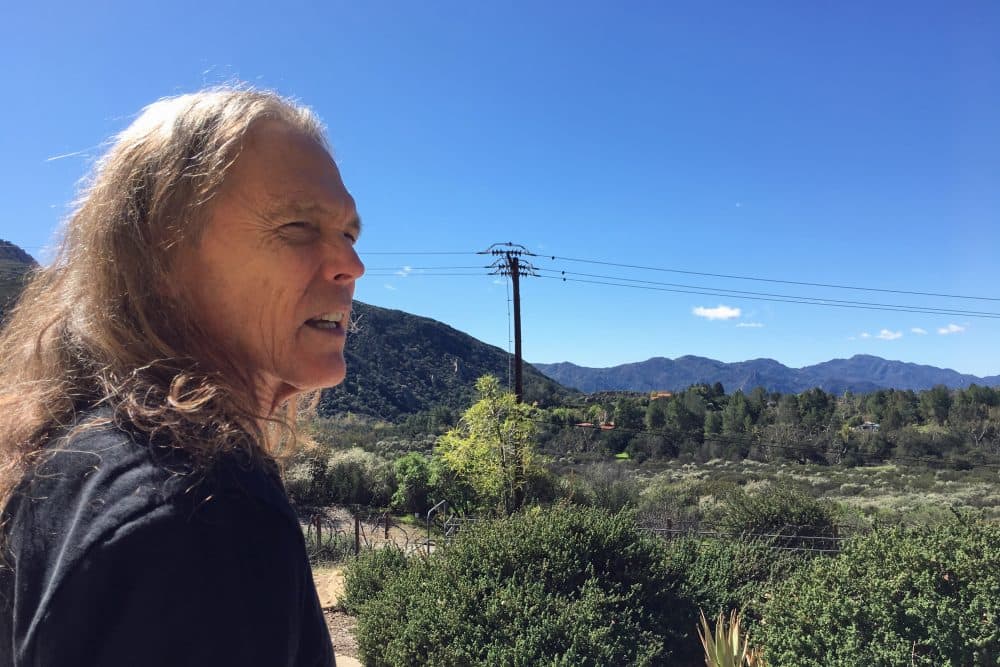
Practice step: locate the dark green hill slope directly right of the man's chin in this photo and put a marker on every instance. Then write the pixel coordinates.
(398, 364)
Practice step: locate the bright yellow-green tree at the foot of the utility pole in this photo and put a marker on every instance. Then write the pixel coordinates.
(492, 447)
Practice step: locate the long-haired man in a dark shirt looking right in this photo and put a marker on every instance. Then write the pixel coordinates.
(203, 283)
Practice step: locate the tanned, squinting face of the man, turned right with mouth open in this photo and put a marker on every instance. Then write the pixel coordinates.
(272, 276)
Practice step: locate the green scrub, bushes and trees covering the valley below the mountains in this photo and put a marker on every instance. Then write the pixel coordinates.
(852, 530)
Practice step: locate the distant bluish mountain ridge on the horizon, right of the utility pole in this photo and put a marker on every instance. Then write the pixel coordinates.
(861, 373)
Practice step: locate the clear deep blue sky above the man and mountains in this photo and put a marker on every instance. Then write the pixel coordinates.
(852, 143)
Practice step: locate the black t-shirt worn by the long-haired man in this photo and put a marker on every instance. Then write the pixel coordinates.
(119, 553)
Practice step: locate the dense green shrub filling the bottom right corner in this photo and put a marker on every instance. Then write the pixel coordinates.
(928, 596)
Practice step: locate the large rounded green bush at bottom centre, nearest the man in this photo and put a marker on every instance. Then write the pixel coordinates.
(569, 586)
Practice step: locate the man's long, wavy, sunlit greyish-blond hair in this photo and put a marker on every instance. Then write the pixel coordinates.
(98, 327)
